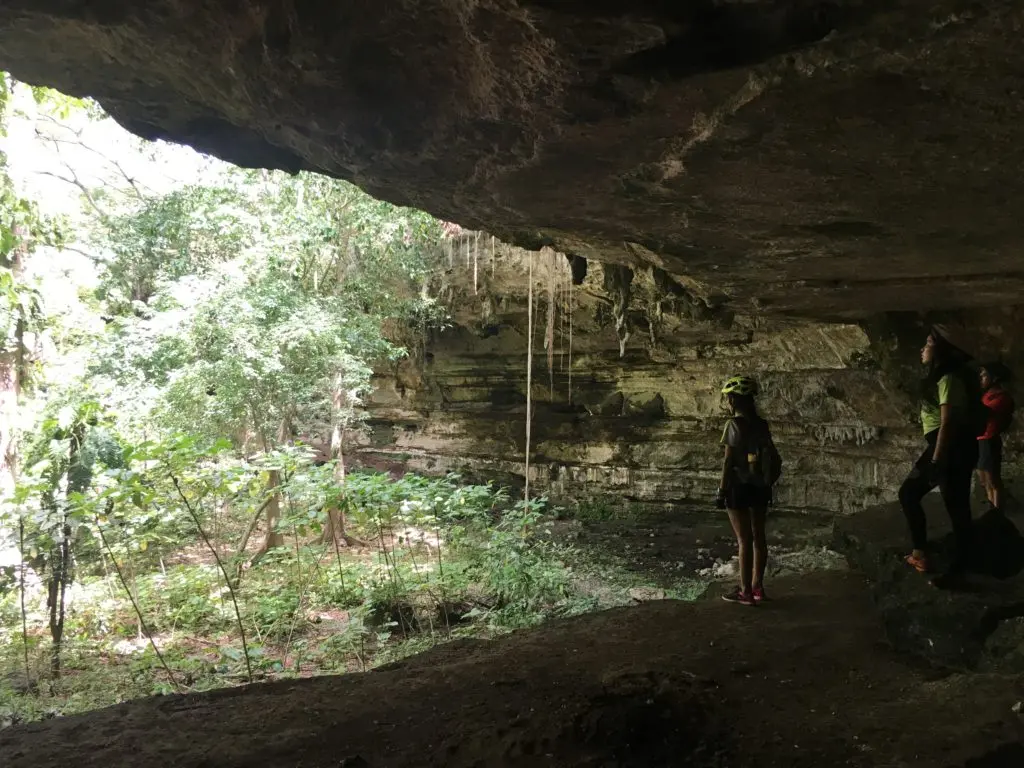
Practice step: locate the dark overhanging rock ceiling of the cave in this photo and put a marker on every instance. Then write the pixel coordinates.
(827, 159)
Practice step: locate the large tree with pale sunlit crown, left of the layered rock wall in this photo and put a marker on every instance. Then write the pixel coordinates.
(258, 310)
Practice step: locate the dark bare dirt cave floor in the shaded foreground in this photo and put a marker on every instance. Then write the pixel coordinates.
(806, 680)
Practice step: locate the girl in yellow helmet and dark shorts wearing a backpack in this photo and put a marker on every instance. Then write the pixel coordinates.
(745, 492)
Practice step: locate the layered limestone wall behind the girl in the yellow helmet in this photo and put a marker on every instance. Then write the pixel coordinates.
(645, 418)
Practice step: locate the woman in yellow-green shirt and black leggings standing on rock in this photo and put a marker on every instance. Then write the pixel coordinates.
(952, 449)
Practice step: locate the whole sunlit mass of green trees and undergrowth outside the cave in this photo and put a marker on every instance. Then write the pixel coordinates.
(236, 325)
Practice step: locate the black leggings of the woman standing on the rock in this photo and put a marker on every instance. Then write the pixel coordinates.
(954, 480)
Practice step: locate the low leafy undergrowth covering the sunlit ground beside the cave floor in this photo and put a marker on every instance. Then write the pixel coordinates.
(442, 562)
